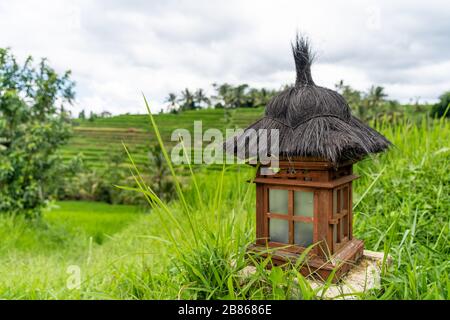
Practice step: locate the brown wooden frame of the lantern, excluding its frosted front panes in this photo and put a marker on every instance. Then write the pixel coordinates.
(329, 211)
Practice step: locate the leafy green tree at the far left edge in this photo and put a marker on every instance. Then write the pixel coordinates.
(33, 125)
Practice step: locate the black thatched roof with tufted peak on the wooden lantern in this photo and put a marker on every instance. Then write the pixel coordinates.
(312, 121)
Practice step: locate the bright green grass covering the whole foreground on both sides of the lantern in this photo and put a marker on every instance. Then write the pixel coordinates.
(196, 250)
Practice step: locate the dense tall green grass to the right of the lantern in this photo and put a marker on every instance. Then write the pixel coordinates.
(408, 211)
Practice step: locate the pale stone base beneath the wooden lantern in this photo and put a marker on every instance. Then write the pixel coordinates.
(365, 275)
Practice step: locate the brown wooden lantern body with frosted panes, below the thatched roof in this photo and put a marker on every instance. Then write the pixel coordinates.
(307, 202)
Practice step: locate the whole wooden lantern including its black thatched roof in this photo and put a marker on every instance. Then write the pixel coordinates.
(307, 198)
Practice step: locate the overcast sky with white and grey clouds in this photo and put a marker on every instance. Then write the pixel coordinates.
(116, 49)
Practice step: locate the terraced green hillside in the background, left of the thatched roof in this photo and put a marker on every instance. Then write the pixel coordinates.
(100, 138)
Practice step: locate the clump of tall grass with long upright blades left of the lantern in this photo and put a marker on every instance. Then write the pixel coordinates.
(209, 243)
